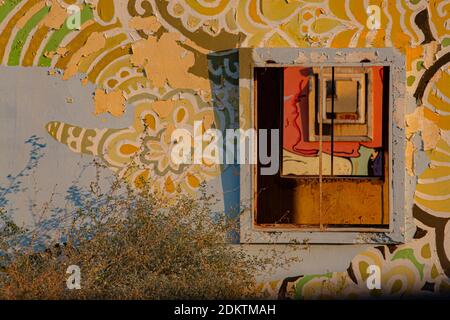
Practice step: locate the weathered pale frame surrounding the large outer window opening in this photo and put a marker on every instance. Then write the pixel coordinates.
(401, 185)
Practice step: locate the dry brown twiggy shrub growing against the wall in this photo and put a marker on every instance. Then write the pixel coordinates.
(134, 245)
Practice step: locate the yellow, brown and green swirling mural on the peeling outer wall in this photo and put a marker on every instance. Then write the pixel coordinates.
(162, 61)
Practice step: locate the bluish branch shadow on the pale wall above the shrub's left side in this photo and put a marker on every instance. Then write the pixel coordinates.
(49, 217)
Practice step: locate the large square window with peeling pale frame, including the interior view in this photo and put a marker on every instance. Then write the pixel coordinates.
(335, 182)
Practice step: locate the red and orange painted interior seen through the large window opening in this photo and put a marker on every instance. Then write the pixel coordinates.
(334, 123)
